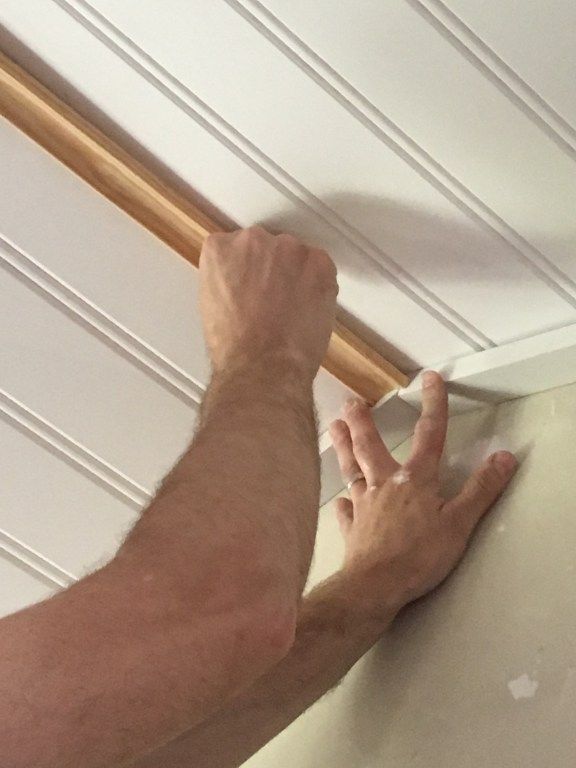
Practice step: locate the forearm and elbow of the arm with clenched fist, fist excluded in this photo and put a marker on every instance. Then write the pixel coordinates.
(199, 602)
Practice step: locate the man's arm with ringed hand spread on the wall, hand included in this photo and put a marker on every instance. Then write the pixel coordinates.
(402, 539)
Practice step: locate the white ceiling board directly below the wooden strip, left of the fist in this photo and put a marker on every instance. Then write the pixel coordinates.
(91, 245)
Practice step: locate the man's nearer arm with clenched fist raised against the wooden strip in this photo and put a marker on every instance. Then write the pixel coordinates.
(202, 597)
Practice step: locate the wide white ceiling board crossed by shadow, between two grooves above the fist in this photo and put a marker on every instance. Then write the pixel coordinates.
(400, 213)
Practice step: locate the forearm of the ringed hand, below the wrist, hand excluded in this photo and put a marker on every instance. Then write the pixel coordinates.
(332, 634)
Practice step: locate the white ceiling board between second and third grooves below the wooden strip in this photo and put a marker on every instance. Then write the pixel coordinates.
(53, 509)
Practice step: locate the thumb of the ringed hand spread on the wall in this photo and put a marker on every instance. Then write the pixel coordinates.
(484, 487)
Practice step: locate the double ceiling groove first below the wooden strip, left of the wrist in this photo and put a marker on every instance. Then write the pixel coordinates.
(99, 323)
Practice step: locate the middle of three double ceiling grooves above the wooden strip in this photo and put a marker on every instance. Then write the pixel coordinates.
(381, 126)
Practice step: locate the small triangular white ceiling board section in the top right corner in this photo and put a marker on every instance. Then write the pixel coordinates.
(534, 39)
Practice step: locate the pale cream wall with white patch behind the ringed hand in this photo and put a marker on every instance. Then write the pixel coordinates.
(435, 693)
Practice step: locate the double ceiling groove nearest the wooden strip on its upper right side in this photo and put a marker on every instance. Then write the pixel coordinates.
(183, 98)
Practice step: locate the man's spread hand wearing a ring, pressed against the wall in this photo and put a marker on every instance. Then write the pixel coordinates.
(402, 538)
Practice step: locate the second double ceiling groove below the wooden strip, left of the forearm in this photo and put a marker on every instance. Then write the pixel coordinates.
(75, 454)
